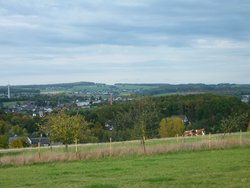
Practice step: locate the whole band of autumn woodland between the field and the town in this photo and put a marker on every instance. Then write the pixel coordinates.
(133, 119)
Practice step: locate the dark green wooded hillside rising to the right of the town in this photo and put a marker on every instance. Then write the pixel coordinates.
(202, 111)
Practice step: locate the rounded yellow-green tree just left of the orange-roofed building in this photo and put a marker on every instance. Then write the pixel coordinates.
(171, 126)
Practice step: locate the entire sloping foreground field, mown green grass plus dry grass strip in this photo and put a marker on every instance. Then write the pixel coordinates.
(203, 161)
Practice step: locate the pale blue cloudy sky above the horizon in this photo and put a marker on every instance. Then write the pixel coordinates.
(124, 41)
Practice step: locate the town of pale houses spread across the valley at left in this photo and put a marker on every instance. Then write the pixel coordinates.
(39, 101)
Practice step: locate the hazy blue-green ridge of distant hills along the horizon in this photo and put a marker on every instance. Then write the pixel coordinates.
(138, 88)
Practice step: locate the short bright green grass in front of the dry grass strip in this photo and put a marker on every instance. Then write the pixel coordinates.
(211, 168)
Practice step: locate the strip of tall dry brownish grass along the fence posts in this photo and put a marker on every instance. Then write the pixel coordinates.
(128, 148)
